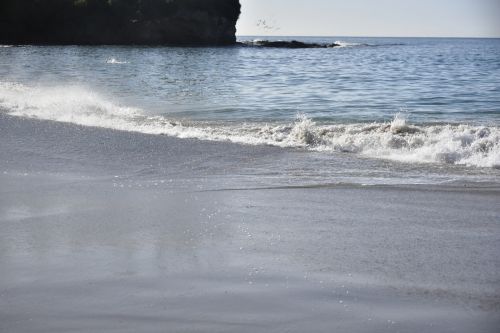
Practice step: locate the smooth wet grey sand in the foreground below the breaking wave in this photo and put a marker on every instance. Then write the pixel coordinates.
(106, 231)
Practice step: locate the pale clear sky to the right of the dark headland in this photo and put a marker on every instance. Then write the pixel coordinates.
(398, 18)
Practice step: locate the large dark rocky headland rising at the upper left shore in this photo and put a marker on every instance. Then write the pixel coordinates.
(142, 22)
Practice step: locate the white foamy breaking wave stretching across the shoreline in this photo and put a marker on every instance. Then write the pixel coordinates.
(398, 140)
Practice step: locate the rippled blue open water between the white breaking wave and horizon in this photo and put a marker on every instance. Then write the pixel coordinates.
(433, 80)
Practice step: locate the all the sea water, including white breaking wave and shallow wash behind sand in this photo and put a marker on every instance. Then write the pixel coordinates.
(421, 110)
